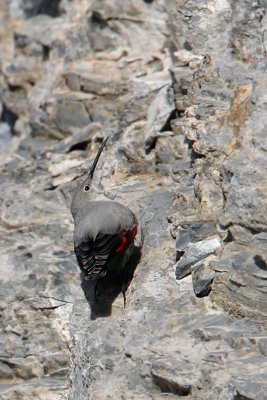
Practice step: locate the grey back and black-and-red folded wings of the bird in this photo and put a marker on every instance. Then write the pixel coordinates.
(103, 230)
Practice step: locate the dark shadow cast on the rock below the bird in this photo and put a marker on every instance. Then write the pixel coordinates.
(101, 294)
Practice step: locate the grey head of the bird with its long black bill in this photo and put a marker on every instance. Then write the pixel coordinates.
(85, 192)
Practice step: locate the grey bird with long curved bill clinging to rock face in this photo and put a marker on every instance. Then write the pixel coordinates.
(104, 230)
